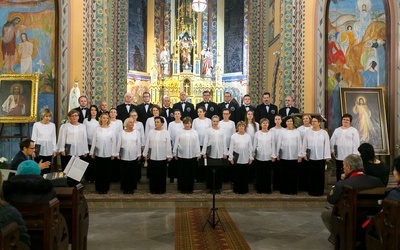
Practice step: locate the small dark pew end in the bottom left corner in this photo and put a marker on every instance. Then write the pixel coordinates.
(9, 238)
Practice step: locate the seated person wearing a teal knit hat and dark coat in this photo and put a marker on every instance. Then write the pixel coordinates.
(28, 185)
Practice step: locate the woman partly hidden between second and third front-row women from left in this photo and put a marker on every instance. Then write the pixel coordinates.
(91, 123)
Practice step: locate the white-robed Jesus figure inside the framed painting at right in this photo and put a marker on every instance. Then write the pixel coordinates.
(363, 121)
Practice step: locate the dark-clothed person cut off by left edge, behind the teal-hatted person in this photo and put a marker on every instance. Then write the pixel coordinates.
(10, 214)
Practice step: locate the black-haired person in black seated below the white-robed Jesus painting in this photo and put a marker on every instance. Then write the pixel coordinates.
(372, 165)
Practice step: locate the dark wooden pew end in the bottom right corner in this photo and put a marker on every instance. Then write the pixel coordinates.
(383, 232)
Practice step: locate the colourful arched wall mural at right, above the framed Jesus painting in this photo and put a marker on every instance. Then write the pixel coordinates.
(355, 50)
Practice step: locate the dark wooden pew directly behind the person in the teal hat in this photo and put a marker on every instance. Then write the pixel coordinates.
(46, 225)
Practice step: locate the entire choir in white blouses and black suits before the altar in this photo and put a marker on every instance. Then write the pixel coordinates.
(242, 144)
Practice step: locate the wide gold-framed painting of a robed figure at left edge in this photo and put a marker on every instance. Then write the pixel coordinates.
(18, 98)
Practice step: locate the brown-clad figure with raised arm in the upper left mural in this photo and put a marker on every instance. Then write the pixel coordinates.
(9, 43)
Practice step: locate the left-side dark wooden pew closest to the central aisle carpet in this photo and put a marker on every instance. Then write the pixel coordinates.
(74, 207)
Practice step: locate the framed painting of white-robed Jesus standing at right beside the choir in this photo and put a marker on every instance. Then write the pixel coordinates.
(367, 106)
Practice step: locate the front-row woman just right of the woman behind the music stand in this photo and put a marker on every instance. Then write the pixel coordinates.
(240, 156)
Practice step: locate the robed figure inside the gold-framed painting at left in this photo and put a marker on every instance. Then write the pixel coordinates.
(15, 104)
